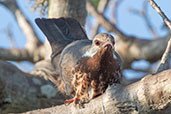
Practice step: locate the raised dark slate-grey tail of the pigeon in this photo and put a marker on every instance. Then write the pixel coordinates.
(60, 32)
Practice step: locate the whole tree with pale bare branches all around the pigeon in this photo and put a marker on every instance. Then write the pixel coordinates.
(21, 92)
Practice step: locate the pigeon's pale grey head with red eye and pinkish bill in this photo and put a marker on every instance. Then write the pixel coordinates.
(99, 41)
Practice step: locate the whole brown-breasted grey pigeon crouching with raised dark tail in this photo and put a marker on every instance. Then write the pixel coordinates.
(71, 53)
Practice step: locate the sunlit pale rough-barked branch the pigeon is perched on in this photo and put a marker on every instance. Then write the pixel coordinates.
(152, 94)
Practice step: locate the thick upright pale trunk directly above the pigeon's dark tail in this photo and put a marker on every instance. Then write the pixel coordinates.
(68, 8)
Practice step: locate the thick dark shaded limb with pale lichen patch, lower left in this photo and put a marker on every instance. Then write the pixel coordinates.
(21, 91)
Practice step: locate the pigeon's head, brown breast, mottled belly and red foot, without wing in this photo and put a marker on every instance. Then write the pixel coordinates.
(97, 69)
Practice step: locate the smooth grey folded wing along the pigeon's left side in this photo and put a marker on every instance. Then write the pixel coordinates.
(69, 58)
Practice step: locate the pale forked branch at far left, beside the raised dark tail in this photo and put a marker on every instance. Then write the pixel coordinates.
(34, 49)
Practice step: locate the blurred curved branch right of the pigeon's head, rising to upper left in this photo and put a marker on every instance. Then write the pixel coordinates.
(132, 48)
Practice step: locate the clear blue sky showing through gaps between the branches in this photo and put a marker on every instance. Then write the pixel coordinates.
(129, 23)
